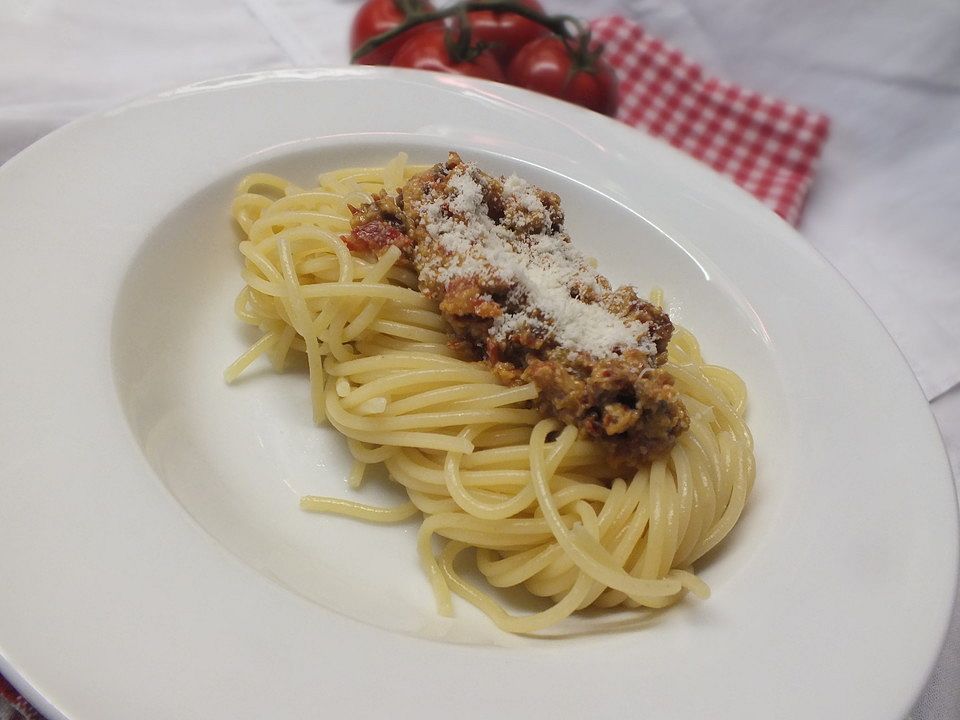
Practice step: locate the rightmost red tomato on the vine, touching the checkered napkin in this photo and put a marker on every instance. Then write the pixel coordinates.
(548, 66)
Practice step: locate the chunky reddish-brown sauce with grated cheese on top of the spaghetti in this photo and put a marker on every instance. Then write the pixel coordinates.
(516, 292)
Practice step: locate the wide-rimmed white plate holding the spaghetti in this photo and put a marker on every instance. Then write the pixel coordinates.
(155, 564)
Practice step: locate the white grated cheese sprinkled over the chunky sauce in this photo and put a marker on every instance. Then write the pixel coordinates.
(541, 270)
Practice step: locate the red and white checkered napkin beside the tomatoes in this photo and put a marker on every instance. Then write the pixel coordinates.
(767, 146)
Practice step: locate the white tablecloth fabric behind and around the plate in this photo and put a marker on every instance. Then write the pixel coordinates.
(885, 207)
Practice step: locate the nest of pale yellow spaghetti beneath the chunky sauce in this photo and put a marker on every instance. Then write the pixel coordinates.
(527, 499)
